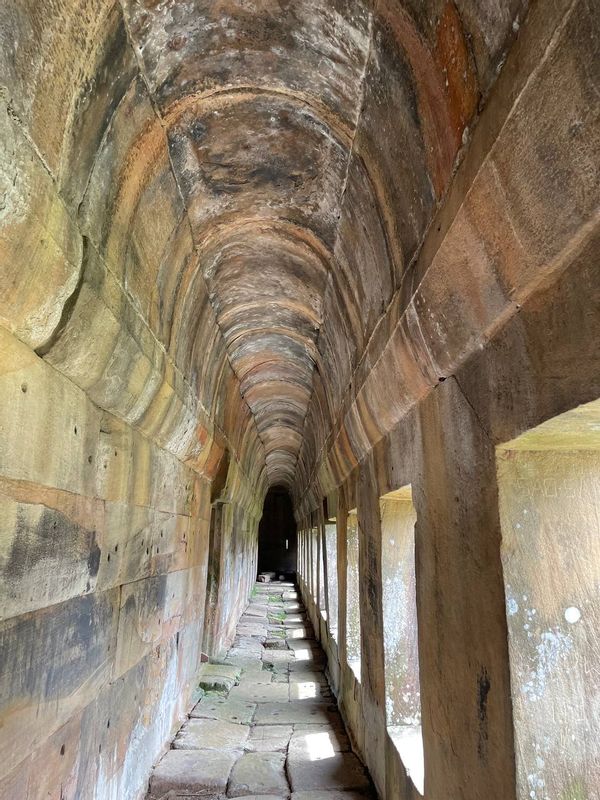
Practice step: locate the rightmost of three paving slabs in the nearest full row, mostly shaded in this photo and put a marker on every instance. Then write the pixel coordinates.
(340, 771)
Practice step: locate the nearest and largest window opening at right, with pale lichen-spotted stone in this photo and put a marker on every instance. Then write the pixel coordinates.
(549, 500)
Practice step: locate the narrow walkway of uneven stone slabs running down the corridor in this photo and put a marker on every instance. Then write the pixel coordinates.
(267, 724)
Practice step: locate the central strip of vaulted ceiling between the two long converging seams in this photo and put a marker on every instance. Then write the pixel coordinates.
(260, 102)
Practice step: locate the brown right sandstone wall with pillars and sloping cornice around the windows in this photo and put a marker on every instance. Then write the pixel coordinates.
(493, 330)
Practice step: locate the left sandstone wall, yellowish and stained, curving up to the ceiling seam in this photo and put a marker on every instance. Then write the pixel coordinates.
(118, 410)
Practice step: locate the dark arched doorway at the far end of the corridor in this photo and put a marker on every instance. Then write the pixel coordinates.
(277, 547)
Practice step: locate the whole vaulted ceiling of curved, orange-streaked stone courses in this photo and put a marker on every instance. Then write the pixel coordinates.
(258, 177)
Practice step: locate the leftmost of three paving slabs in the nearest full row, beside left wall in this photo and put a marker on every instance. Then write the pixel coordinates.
(193, 772)
